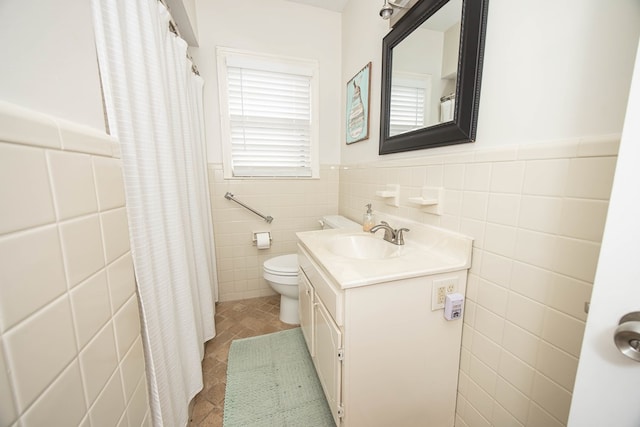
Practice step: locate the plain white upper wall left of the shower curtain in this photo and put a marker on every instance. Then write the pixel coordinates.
(48, 59)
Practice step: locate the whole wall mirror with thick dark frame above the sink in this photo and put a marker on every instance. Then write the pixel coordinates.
(431, 73)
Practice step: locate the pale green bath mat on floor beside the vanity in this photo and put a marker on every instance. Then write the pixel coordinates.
(271, 381)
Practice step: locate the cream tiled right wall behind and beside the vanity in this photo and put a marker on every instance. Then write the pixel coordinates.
(537, 215)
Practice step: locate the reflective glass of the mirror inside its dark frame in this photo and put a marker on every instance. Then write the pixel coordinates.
(424, 72)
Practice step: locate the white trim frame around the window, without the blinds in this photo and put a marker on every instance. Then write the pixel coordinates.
(275, 63)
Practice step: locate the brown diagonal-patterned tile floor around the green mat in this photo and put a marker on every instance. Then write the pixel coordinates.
(234, 319)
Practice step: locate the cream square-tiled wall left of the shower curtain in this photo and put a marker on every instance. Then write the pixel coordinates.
(70, 346)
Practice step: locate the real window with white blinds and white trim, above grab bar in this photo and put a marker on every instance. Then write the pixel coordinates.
(268, 112)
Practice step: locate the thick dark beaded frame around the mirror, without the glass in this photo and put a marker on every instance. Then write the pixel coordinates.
(463, 127)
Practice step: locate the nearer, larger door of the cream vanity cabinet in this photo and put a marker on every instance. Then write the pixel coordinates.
(328, 343)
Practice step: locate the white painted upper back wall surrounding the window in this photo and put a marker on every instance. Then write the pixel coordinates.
(275, 27)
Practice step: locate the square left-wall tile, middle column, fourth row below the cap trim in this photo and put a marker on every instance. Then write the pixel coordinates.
(98, 361)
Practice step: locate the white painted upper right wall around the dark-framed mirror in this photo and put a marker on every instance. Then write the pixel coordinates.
(552, 71)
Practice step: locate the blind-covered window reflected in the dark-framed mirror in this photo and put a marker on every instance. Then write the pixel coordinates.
(408, 103)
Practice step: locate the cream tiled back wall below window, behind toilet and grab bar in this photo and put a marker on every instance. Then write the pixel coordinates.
(295, 205)
